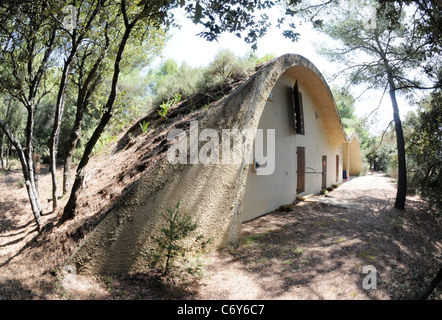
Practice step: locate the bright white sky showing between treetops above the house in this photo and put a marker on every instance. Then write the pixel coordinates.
(185, 46)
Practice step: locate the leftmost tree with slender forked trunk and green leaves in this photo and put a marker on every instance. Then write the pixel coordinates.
(27, 40)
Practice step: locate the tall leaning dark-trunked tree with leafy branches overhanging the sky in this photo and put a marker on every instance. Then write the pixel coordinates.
(217, 17)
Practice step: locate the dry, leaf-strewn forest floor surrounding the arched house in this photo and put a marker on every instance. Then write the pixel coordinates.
(317, 251)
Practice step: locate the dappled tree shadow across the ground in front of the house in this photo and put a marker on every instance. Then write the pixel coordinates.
(317, 241)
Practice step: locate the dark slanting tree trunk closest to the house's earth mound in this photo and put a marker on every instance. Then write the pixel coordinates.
(69, 210)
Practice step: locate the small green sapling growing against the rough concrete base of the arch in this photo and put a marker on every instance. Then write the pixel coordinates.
(178, 237)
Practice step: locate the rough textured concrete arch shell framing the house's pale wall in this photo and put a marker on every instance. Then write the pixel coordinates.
(211, 193)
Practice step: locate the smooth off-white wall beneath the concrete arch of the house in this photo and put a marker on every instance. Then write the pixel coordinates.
(265, 193)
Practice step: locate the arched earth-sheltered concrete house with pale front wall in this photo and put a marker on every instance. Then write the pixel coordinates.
(289, 102)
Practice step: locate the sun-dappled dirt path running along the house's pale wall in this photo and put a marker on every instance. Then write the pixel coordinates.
(318, 251)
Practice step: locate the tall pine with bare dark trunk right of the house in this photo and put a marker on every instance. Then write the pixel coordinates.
(392, 48)
